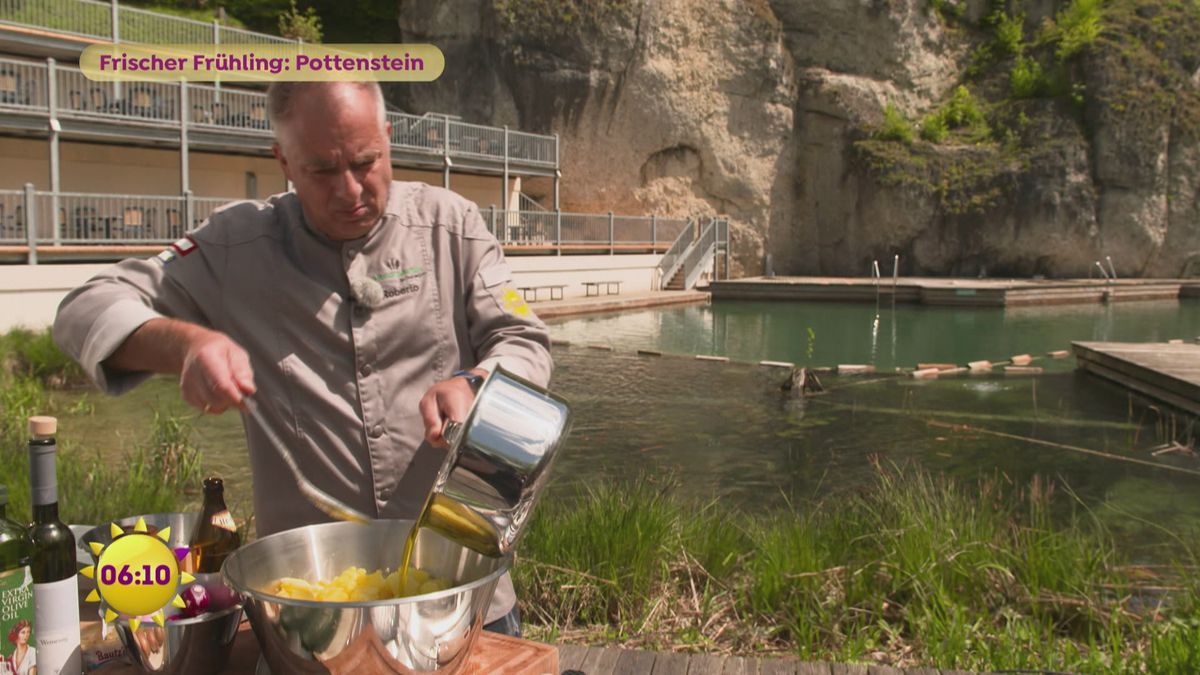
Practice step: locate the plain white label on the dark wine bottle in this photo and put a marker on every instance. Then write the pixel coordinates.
(57, 626)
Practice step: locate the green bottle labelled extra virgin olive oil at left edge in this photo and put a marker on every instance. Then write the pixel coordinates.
(16, 589)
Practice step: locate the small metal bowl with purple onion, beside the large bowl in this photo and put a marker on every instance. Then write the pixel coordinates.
(189, 647)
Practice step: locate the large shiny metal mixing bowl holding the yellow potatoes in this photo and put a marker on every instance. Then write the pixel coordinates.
(428, 634)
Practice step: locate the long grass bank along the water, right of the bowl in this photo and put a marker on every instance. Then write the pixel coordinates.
(915, 571)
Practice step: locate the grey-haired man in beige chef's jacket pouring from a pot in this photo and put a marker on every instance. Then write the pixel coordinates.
(346, 308)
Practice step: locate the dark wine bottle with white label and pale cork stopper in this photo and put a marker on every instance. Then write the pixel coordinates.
(56, 586)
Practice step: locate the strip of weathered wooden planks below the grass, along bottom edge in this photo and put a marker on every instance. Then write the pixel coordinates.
(577, 660)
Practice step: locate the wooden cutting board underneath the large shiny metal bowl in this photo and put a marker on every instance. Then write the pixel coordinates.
(493, 655)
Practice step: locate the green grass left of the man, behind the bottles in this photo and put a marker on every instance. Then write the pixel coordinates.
(154, 477)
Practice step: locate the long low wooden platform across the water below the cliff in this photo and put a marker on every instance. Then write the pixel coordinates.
(953, 292)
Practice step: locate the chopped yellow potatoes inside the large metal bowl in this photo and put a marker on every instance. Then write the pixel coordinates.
(356, 586)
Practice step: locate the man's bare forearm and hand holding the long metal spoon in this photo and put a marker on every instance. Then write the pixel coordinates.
(214, 372)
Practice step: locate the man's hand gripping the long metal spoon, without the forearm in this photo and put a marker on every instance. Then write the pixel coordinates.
(215, 374)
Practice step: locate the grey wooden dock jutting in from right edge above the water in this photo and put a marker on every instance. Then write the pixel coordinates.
(1168, 373)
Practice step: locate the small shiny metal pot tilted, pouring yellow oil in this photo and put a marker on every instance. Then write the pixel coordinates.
(499, 463)
